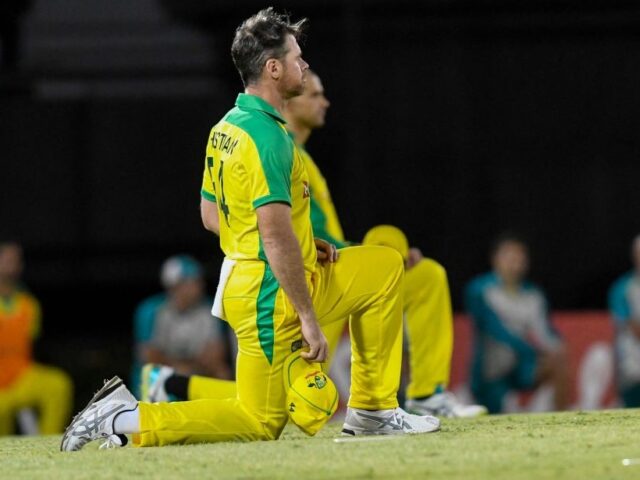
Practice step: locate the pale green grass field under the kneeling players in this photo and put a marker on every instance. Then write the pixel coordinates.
(560, 446)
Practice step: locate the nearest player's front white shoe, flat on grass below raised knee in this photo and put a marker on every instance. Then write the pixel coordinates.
(387, 422)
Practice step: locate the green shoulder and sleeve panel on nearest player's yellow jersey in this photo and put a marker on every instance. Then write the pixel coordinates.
(275, 150)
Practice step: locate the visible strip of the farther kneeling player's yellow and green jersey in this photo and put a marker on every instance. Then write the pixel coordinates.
(323, 213)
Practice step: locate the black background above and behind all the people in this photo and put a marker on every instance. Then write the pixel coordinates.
(453, 120)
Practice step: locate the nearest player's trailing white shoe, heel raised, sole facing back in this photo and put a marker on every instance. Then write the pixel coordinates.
(96, 420)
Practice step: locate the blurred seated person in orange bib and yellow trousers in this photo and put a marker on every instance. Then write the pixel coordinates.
(25, 384)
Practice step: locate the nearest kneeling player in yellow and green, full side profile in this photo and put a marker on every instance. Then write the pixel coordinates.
(281, 285)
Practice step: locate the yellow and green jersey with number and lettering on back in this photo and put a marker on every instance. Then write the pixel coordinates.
(251, 161)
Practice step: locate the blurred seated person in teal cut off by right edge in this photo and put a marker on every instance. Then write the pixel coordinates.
(624, 305)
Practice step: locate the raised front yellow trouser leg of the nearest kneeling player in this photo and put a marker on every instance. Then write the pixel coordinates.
(365, 286)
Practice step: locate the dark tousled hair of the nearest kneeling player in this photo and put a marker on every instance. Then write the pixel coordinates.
(259, 38)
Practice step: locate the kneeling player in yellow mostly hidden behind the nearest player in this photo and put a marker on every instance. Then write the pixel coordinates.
(427, 302)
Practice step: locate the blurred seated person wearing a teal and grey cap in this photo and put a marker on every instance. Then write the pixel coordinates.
(176, 328)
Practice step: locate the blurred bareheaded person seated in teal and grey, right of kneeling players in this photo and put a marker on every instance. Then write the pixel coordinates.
(515, 347)
